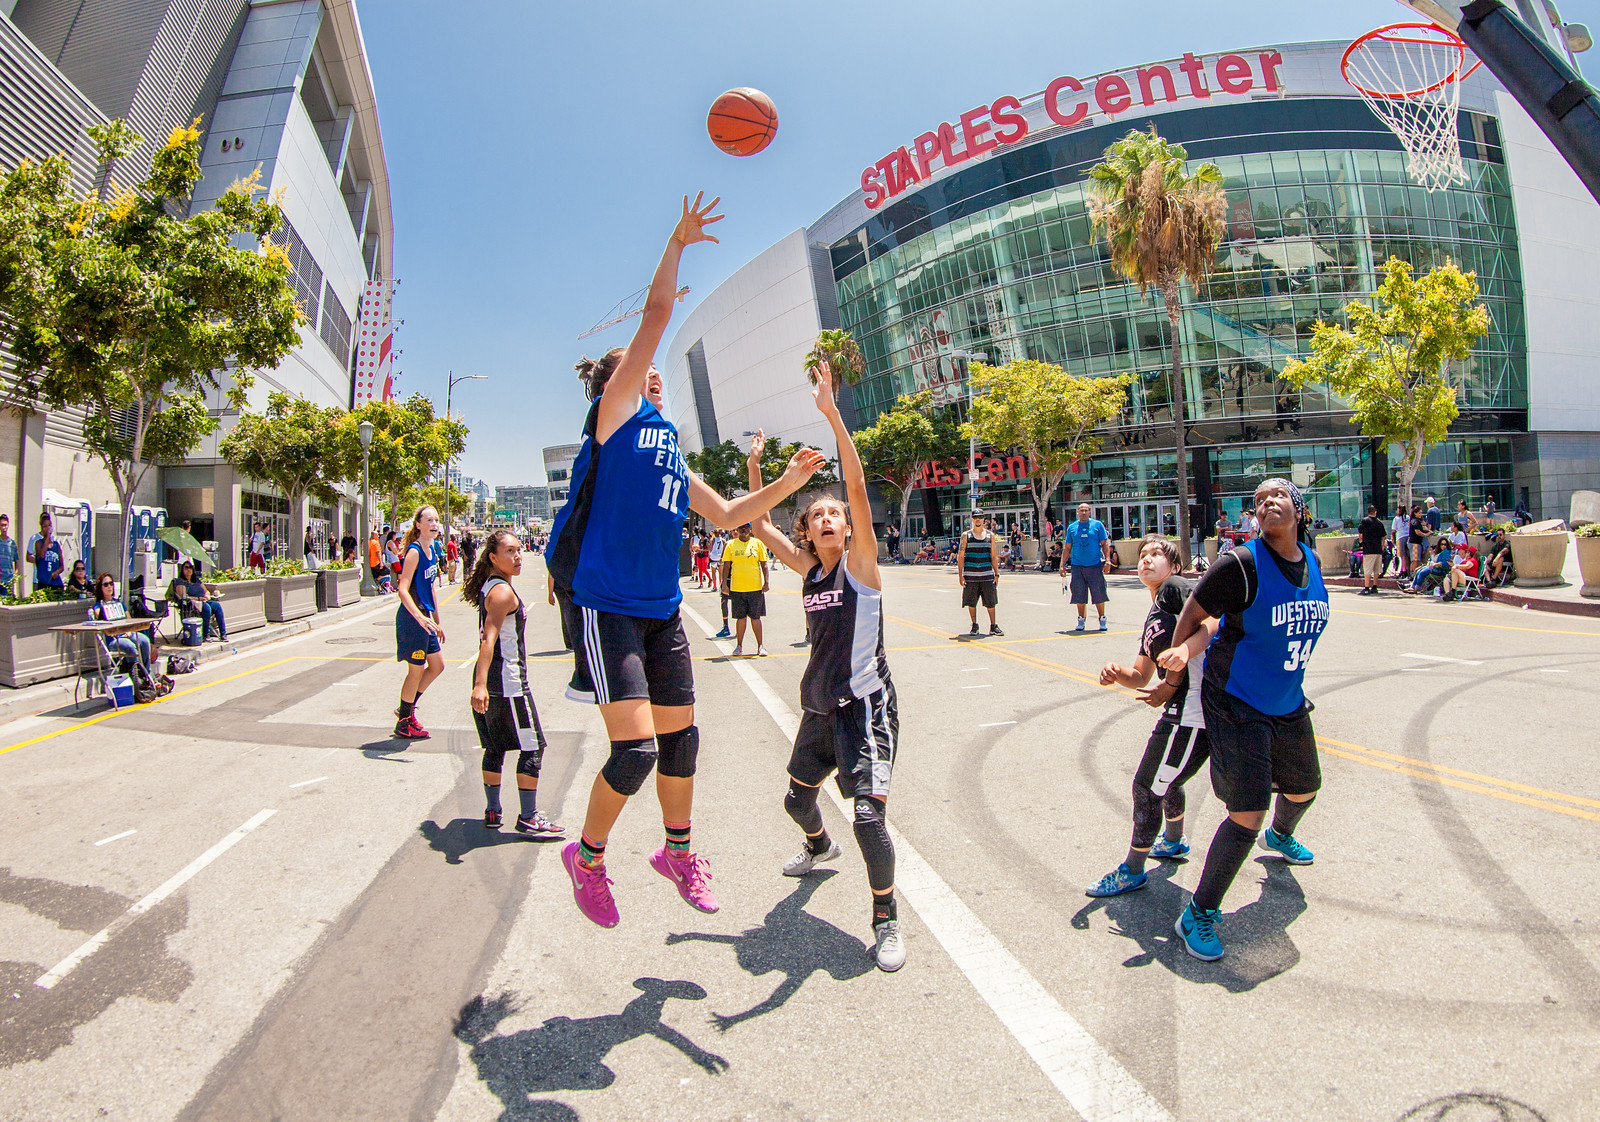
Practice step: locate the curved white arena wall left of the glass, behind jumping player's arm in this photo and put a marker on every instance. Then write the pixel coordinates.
(756, 331)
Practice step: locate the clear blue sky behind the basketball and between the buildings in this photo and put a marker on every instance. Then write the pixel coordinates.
(538, 151)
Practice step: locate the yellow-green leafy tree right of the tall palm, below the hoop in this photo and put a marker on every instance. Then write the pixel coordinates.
(1393, 363)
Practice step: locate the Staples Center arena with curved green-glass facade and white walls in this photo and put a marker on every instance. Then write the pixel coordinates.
(974, 241)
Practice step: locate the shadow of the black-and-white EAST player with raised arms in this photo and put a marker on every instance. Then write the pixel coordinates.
(794, 944)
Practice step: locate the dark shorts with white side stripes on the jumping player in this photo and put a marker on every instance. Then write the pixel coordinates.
(623, 659)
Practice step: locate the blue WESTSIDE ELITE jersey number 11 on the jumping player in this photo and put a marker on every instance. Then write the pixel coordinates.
(618, 547)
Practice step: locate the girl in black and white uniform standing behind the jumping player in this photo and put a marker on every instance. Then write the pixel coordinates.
(502, 703)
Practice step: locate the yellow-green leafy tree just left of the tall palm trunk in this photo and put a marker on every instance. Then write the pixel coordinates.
(1039, 411)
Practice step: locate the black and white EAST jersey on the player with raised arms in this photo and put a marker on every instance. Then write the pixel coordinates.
(847, 639)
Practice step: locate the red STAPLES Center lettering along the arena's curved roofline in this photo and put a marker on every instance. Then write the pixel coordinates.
(1066, 103)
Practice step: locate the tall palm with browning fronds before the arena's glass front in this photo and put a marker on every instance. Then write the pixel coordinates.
(1164, 226)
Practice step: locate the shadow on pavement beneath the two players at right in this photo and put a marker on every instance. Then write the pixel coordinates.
(1257, 936)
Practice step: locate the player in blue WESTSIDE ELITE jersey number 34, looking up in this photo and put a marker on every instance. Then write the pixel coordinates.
(1274, 607)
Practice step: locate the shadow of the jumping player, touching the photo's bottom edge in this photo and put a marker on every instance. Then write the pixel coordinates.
(567, 1054)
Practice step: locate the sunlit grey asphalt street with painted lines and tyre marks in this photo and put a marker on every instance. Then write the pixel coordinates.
(249, 902)
